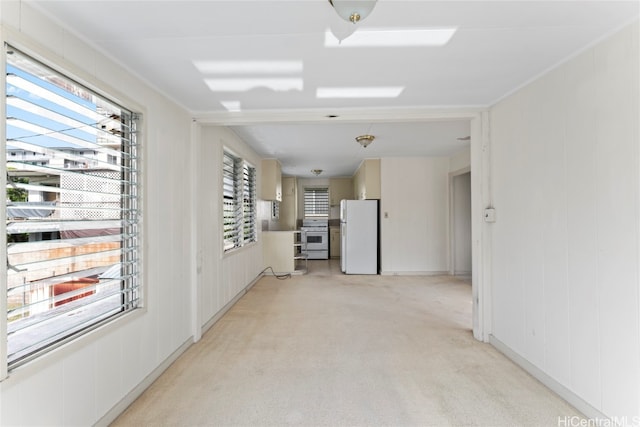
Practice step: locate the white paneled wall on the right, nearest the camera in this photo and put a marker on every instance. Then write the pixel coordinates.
(565, 182)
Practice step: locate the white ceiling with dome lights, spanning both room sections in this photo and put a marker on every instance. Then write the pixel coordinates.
(498, 47)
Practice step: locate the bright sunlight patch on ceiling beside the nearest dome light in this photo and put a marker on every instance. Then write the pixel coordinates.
(380, 37)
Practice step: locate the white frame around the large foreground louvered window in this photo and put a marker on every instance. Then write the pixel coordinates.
(103, 91)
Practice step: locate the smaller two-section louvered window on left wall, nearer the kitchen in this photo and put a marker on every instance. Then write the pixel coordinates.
(239, 202)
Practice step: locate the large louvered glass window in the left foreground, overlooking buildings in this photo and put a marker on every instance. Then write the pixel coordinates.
(72, 205)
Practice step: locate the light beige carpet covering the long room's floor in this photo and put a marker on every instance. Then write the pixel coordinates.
(326, 349)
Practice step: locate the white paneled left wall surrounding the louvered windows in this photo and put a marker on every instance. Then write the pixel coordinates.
(88, 381)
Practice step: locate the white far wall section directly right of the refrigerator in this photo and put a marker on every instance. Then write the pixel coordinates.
(414, 194)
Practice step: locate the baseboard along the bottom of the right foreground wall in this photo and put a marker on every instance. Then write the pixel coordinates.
(562, 391)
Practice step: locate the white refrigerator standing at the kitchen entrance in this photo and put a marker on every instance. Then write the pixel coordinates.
(359, 236)
